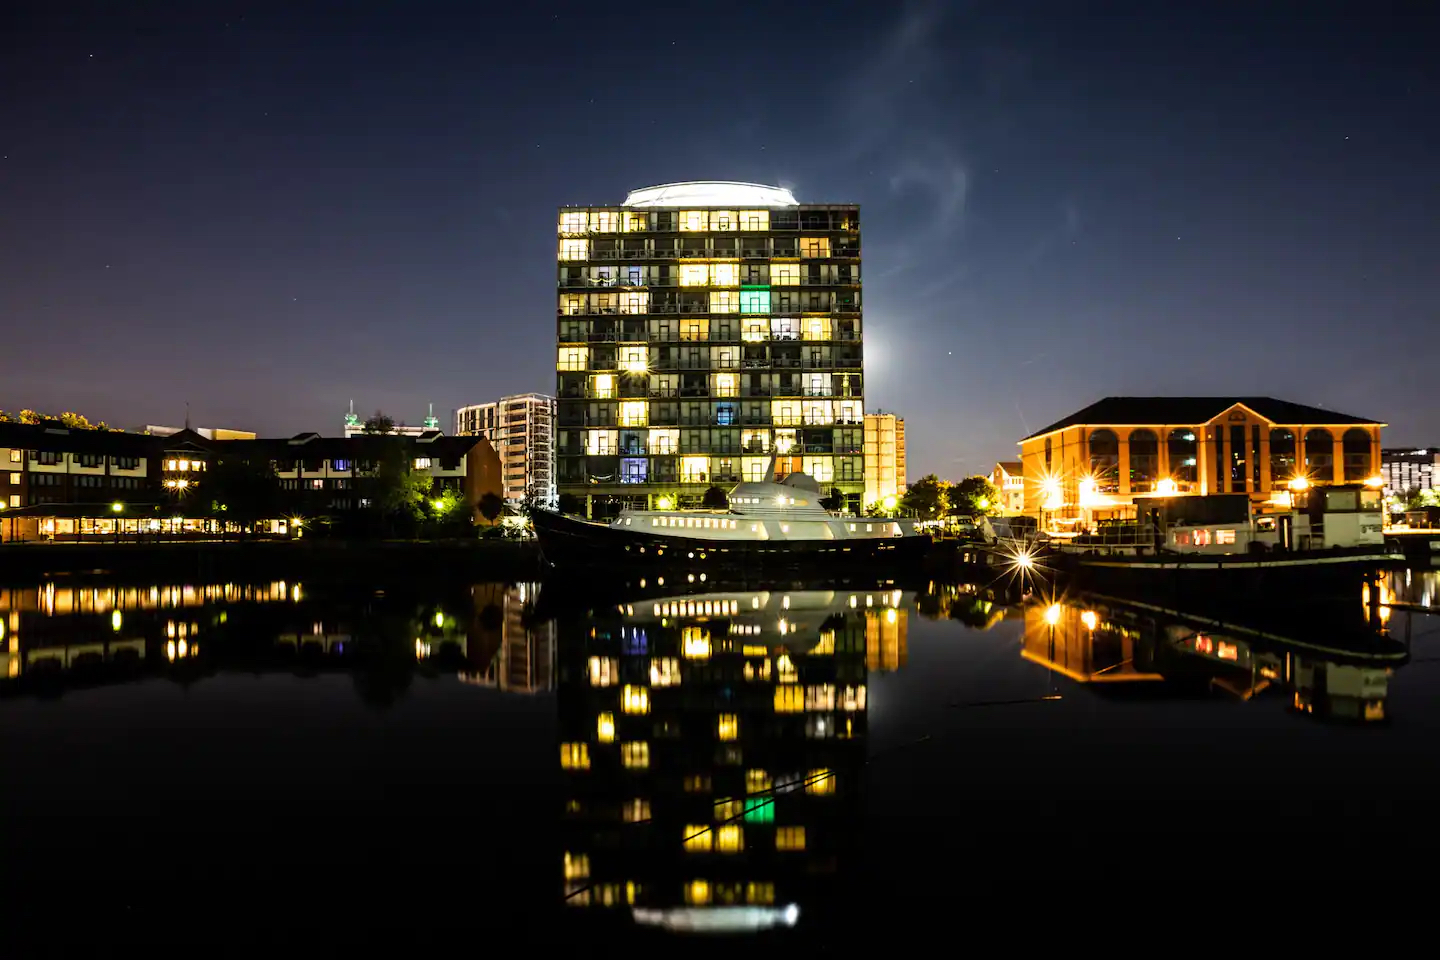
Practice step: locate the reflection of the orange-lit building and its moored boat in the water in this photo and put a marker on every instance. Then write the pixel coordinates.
(1327, 671)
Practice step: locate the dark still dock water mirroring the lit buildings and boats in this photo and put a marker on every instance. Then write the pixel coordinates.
(258, 762)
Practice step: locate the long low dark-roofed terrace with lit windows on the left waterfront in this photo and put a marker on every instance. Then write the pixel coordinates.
(78, 484)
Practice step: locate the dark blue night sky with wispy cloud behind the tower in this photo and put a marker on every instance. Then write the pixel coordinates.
(269, 214)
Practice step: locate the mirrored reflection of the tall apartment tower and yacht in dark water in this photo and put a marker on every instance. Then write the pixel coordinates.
(712, 748)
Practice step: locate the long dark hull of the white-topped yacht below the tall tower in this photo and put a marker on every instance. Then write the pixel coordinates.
(577, 545)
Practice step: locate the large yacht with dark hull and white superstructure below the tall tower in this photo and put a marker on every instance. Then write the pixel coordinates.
(770, 527)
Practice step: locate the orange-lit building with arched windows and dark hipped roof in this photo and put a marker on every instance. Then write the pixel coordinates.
(1097, 461)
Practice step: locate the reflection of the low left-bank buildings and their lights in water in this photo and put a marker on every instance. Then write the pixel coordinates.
(99, 634)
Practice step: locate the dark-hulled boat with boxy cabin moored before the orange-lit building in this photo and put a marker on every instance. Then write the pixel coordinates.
(1223, 548)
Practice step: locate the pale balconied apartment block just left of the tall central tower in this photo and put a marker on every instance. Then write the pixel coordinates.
(521, 428)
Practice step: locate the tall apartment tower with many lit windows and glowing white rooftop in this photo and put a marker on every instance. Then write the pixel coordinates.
(703, 326)
